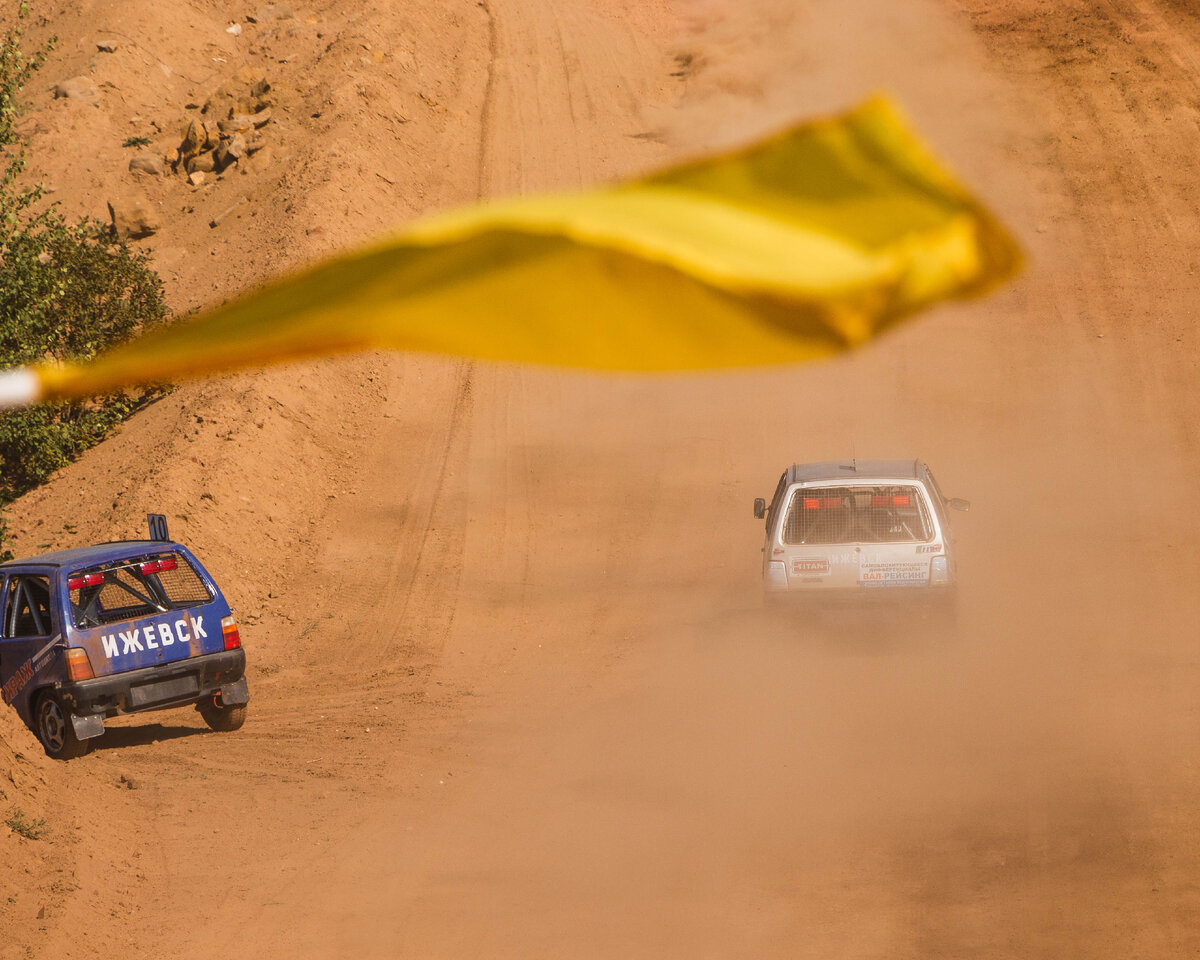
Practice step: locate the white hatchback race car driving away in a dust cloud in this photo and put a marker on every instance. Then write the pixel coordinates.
(842, 529)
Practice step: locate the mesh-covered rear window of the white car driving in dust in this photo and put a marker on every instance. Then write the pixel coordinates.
(857, 514)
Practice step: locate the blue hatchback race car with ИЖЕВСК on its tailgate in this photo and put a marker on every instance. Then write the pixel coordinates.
(128, 627)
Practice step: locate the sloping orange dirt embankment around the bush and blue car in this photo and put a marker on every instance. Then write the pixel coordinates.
(286, 442)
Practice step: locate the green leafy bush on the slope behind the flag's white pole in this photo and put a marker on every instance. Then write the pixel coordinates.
(68, 291)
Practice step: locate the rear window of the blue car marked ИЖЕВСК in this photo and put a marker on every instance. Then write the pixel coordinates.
(128, 590)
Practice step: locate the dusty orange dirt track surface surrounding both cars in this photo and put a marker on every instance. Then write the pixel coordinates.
(514, 692)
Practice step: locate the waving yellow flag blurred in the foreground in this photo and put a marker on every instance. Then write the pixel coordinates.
(793, 249)
